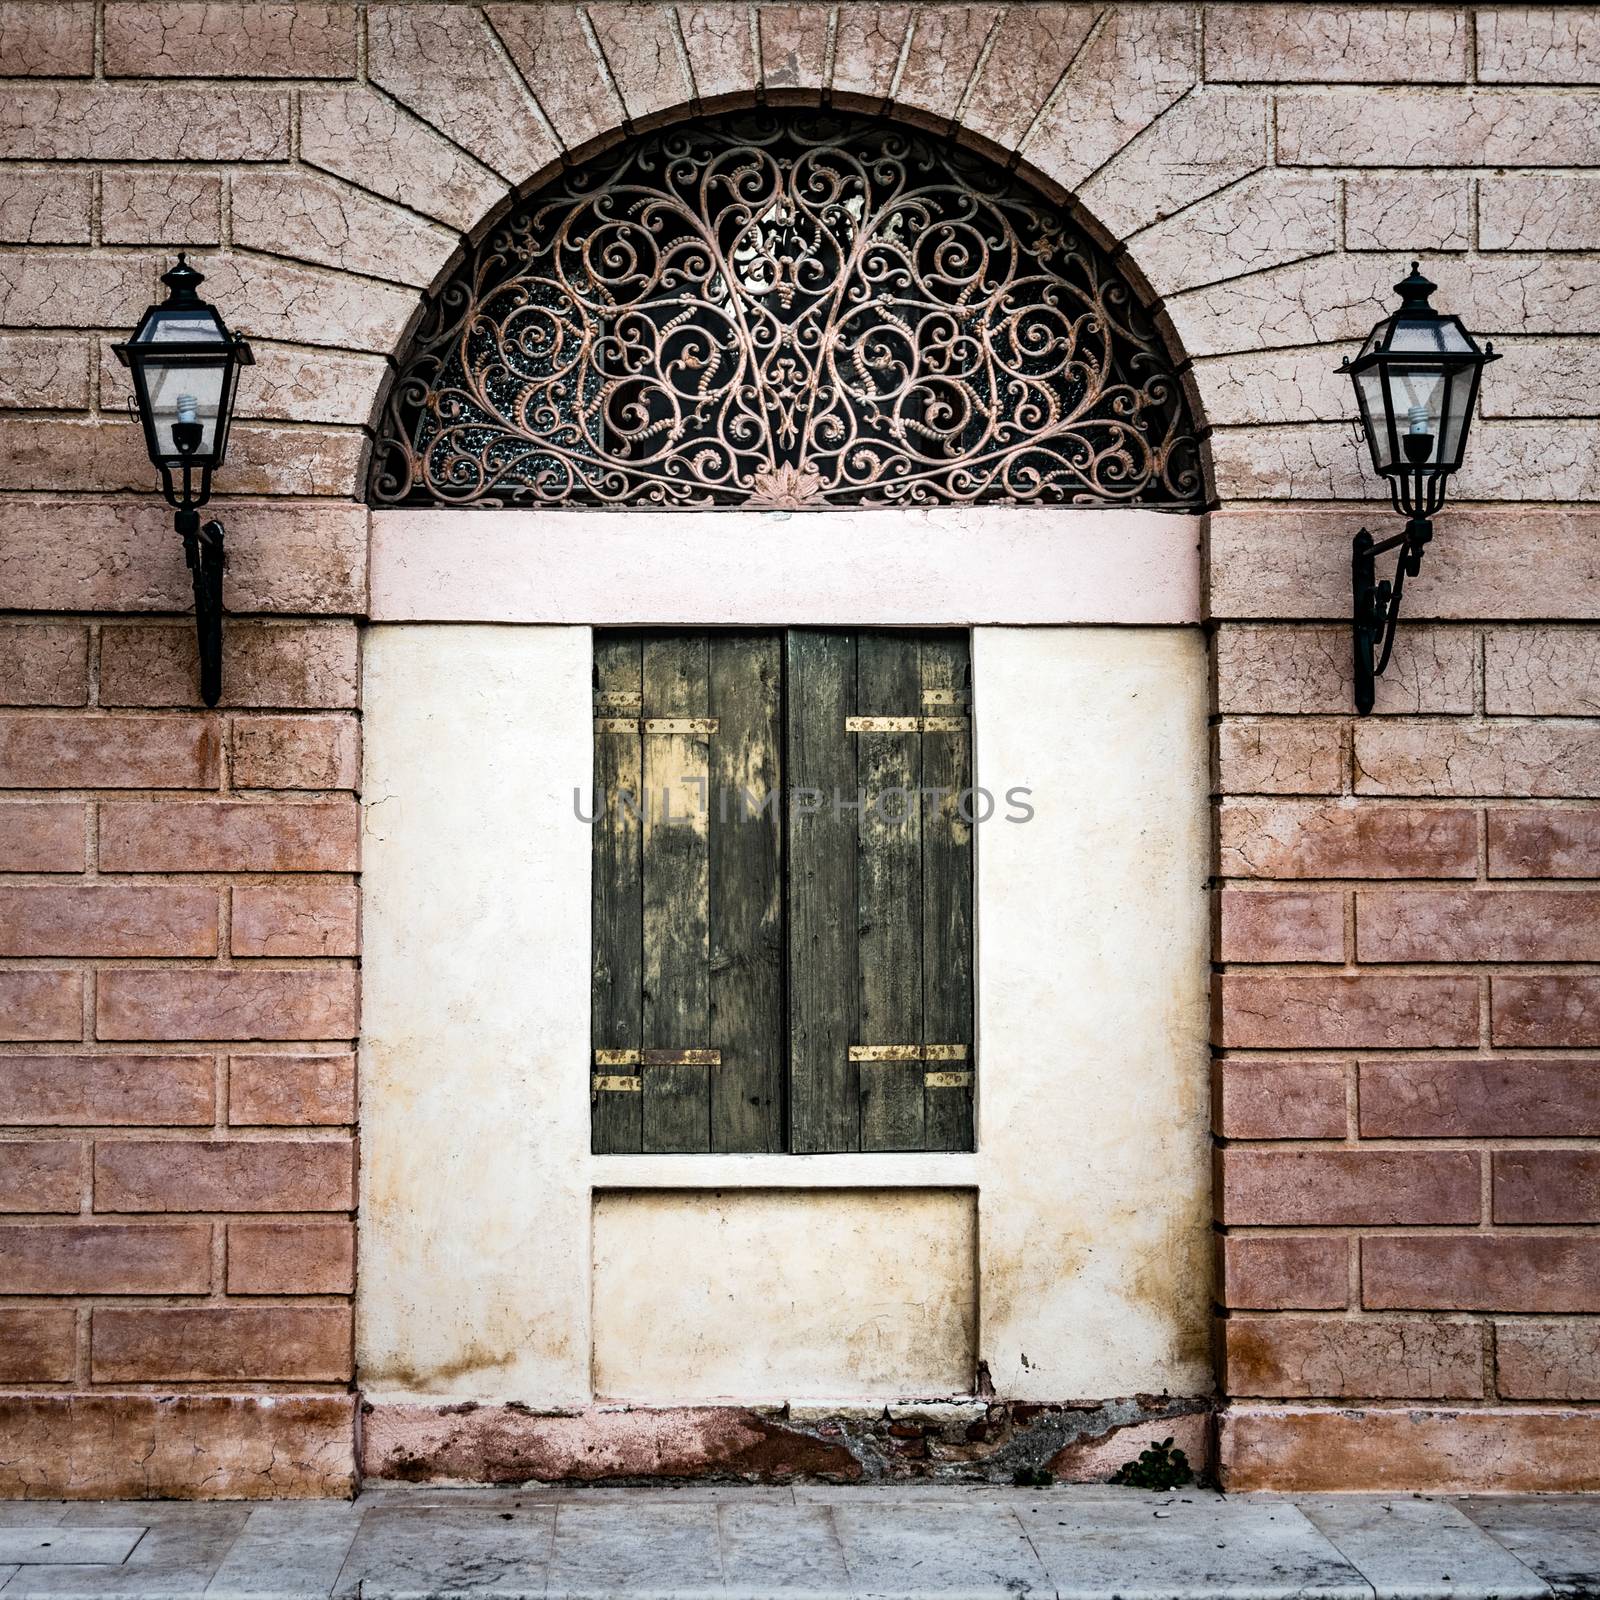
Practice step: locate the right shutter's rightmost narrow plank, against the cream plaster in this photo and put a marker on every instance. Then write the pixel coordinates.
(948, 890)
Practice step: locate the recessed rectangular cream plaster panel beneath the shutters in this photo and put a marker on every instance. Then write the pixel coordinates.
(764, 1295)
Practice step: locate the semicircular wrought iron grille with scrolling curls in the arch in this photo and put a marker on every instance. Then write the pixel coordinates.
(786, 308)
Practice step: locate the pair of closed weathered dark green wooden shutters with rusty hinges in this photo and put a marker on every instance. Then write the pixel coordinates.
(695, 761)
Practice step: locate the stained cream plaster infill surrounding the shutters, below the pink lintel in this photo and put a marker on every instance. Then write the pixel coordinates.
(479, 1191)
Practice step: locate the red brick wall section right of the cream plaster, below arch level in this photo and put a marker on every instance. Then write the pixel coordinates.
(1407, 1089)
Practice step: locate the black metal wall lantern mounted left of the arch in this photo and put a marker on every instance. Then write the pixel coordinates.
(185, 362)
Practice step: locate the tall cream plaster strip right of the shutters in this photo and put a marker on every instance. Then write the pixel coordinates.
(1094, 1159)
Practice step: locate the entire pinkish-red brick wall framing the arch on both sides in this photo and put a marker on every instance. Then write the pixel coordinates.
(1409, 994)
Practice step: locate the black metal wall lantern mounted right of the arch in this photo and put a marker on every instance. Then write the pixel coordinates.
(1417, 382)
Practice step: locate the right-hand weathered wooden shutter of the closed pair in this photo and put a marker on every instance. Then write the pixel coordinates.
(881, 892)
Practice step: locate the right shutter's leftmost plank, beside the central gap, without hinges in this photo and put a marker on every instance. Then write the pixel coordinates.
(825, 1110)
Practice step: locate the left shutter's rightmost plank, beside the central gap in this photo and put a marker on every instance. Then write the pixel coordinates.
(746, 894)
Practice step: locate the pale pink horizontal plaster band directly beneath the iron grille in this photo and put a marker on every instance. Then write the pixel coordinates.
(850, 569)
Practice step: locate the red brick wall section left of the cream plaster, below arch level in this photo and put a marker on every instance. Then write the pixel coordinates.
(178, 1010)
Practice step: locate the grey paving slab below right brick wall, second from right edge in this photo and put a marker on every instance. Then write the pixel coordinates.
(1410, 1550)
